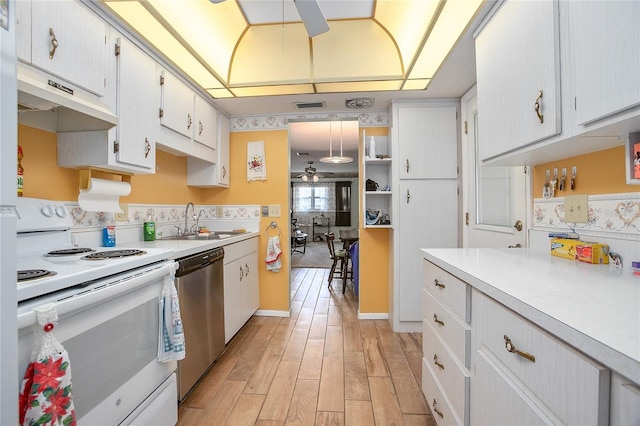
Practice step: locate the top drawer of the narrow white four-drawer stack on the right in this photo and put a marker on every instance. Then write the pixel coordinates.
(455, 293)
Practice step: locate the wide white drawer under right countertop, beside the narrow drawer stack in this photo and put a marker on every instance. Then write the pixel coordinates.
(573, 386)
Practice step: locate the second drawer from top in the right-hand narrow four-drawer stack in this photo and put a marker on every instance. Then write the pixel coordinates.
(443, 322)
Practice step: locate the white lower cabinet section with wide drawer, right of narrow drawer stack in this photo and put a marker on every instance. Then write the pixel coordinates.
(523, 375)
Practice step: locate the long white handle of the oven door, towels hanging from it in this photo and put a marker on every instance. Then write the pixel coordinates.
(99, 294)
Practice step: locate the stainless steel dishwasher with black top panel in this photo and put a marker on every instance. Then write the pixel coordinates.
(199, 281)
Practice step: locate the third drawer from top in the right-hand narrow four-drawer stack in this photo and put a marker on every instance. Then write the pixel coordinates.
(452, 377)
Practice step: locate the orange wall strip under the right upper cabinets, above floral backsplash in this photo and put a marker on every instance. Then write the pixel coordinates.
(601, 172)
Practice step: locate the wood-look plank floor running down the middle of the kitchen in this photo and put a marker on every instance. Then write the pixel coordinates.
(321, 366)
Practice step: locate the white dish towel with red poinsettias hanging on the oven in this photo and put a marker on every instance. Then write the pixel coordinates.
(46, 397)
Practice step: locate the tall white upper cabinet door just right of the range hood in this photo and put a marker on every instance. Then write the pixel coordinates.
(138, 122)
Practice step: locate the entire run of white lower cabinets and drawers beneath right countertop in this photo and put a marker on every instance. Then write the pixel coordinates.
(484, 364)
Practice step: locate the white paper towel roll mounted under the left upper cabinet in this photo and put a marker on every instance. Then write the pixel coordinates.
(103, 195)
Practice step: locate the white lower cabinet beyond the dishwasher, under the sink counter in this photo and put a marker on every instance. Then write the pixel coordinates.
(241, 286)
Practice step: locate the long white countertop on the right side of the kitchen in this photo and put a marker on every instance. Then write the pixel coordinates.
(595, 308)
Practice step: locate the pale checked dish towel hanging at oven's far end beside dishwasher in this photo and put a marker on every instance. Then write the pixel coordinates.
(171, 344)
